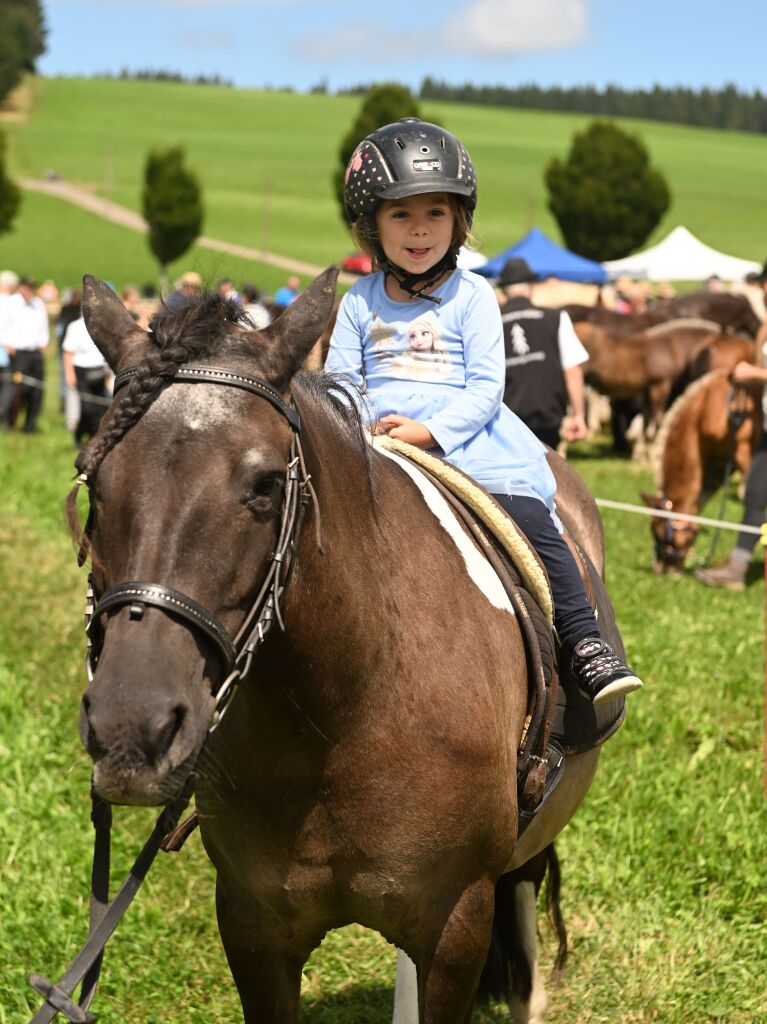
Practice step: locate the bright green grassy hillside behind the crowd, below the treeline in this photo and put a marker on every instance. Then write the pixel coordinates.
(266, 161)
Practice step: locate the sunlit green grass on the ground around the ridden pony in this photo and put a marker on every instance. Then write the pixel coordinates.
(665, 868)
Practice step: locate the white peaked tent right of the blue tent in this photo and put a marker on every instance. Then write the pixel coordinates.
(681, 258)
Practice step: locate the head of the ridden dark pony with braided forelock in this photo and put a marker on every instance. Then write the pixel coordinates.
(187, 480)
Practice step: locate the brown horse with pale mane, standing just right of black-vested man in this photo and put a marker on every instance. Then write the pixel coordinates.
(655, 365)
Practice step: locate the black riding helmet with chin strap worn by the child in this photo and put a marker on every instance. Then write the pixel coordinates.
(408, 158)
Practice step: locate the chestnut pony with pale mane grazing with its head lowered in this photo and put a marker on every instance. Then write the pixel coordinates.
(711, 425)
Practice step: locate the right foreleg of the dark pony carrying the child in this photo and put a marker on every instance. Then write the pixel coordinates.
(449, 982)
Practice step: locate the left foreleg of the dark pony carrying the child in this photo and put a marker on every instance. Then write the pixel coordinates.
(268, 977)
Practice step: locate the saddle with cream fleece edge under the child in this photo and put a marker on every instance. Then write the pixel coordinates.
(561, 720)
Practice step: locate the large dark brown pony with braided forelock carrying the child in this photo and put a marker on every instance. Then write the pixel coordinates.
(366, 769)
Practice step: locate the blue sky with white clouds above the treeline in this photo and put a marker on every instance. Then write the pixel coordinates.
(633, 44)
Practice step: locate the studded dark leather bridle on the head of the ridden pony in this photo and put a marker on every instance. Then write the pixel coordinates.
(237, 655)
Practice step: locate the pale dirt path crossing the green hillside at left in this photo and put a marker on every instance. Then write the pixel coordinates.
(121, 216)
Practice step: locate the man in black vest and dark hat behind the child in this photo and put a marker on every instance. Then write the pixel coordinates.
(544, 360)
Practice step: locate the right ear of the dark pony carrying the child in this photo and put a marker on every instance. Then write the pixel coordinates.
(288, 342)
